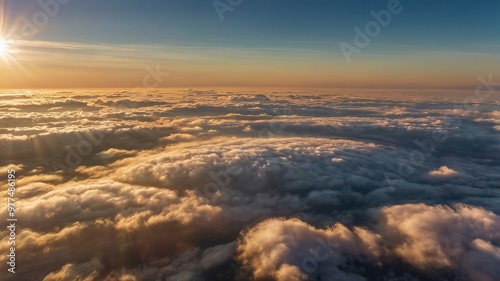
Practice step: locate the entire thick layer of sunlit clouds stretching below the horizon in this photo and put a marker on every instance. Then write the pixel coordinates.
(210, 185)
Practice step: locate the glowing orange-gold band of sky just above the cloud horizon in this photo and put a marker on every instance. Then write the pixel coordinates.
(34, 63)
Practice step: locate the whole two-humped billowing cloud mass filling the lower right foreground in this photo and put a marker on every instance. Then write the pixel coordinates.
(433, 239)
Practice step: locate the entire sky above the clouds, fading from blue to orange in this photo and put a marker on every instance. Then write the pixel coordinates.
(282, 43)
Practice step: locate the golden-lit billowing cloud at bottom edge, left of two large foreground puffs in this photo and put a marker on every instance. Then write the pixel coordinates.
(283, 249)
